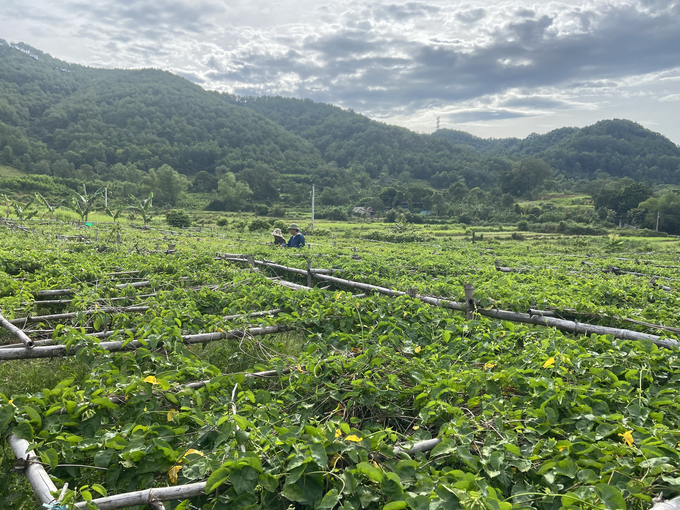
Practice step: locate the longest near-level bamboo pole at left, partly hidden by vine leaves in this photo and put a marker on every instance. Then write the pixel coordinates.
(57, 351)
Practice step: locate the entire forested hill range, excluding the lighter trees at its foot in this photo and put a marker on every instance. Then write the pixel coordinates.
(120, 125)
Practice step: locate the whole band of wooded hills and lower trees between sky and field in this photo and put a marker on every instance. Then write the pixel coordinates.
(143, 133)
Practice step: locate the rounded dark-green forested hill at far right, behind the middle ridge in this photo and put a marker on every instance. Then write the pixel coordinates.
(620, 148)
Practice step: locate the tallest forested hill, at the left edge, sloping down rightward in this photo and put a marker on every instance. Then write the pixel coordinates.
(50, 111)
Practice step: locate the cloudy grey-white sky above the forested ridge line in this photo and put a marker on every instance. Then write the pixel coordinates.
(494, 69)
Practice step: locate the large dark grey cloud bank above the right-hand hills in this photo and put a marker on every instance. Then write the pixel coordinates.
(525, 53)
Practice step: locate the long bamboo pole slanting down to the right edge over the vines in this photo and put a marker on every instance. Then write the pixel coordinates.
(561, 324)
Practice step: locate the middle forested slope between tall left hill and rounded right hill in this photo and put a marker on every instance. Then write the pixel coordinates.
(351, 140)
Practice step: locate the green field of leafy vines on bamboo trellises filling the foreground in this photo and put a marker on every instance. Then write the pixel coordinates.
(195, 362)
